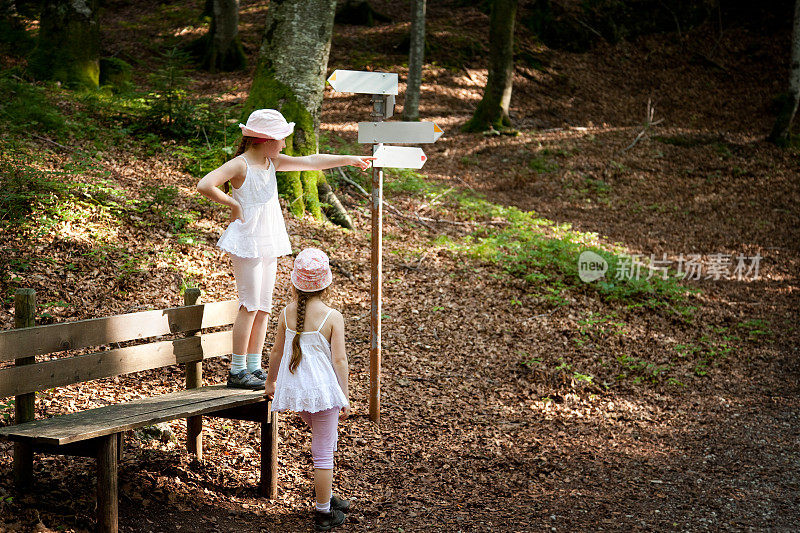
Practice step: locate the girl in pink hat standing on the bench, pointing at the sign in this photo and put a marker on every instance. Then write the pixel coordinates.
(257, 236)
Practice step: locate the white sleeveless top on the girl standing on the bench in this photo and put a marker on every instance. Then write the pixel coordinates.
(263, 232)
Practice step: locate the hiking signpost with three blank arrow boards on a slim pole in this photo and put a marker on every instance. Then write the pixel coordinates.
(383, 88)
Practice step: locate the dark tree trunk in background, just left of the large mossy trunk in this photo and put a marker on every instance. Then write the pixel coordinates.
(221, 48)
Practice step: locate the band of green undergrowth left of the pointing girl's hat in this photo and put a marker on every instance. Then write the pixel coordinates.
(164, 116)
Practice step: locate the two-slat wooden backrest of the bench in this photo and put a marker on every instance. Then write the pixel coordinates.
(146, 325)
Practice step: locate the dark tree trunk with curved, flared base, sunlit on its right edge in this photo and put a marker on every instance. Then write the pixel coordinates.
(492, 111)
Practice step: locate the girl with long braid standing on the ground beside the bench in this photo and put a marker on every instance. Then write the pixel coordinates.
(308, 373)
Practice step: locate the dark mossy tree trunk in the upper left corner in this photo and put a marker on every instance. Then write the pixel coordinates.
(68, 49)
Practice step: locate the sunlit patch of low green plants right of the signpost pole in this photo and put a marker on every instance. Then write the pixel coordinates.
(542, 252)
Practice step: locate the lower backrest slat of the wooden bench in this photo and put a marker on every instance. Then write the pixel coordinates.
(18, 380)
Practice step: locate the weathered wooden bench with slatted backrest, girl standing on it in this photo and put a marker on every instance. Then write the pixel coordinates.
(98, 432)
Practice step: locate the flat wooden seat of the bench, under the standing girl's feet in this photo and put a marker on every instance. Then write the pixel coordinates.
(83, 425)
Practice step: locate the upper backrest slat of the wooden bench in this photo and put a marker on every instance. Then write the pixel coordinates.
(18, 343)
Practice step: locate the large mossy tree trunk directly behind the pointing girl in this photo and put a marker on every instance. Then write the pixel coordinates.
(290, 77)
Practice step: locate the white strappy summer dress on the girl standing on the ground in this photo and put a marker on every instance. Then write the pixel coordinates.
(313, 387)
